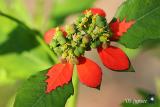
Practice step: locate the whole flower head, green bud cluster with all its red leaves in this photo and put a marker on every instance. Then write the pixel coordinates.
(90, 31)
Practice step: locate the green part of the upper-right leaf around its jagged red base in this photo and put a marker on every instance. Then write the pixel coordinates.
(146, 13)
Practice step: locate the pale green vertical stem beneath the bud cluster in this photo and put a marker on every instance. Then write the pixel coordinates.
(73, 99)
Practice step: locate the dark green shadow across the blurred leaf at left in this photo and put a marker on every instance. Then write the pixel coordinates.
(20, 39)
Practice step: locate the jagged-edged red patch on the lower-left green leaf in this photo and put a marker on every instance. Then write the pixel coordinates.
(59, 75)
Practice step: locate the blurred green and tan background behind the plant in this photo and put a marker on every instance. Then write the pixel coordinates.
(20, 58)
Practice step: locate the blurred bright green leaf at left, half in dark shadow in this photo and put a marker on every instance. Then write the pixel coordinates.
(19, 51)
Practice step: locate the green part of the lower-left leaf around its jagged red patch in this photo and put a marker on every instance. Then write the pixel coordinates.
(32, 93)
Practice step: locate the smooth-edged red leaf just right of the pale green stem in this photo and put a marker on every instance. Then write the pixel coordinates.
(89, 72)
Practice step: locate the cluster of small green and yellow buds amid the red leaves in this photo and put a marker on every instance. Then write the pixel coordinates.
(89, 31)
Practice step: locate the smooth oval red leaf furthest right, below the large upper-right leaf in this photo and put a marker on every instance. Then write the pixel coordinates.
(114, 58)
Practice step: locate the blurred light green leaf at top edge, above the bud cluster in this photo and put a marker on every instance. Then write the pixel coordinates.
(63, 8)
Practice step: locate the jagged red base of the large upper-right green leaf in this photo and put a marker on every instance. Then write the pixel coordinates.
(118, 28)
